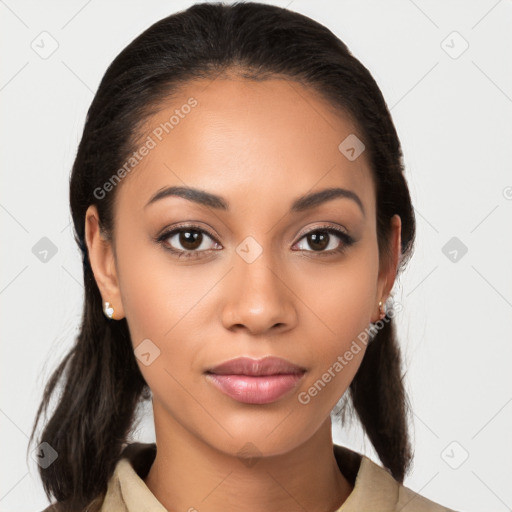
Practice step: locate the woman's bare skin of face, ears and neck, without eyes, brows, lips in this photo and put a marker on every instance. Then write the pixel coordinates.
(260, 145)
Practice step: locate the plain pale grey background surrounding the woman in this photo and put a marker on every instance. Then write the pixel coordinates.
(452, 108)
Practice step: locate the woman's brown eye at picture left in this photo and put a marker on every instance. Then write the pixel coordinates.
(186, 241)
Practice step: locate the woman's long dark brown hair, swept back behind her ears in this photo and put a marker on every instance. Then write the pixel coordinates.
(100, 383)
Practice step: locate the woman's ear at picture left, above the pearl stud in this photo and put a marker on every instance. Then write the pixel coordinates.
(102, 259)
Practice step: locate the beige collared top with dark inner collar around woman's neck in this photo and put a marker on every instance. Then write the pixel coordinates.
(374, 489)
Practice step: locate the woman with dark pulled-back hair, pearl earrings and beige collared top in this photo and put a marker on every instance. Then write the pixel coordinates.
(239, 200)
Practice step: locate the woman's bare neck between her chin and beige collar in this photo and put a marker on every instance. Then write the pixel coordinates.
(188, 474)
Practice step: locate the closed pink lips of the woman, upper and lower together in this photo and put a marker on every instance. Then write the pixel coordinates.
(255, 381)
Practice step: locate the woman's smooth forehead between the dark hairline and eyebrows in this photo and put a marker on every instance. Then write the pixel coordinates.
(247, 141)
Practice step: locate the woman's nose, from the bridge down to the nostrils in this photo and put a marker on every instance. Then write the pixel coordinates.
(258, 297)
